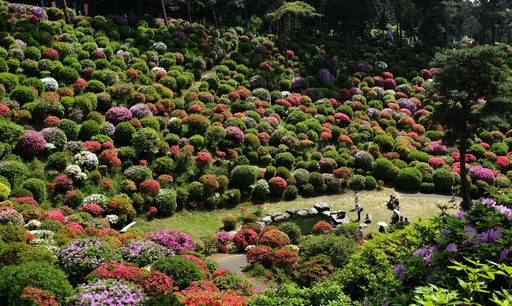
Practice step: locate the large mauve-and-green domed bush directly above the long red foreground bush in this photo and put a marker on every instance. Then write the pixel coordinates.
(80, 257)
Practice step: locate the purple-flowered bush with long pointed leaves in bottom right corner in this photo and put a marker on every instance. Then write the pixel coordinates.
(468, 240)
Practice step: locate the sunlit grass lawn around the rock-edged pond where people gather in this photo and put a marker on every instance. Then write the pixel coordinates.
(201, 223)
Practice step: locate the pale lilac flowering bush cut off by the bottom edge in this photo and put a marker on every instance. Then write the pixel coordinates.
(108, 292)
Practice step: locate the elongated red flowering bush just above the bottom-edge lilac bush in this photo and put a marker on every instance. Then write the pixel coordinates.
(153, 282)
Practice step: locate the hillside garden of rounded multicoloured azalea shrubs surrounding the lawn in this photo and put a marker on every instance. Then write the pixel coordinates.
(111, 118)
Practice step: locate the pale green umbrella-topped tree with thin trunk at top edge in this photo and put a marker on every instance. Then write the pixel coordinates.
(296, 8)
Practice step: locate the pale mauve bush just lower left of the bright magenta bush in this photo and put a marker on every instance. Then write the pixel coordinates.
(144, 252)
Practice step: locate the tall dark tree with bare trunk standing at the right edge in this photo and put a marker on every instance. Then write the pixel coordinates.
(472, 86)
